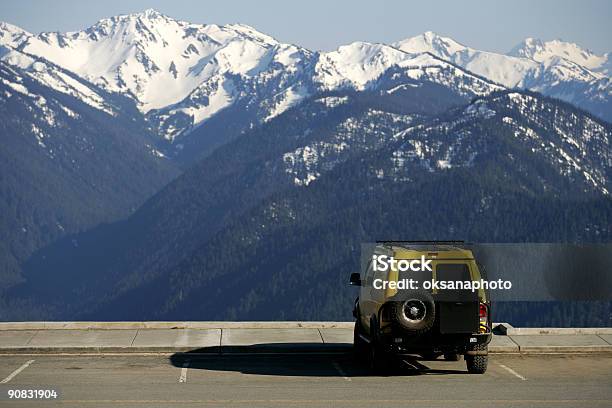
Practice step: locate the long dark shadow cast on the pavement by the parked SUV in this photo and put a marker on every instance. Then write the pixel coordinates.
(304, 360)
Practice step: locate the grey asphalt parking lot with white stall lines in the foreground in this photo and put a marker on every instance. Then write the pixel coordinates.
(306, 380)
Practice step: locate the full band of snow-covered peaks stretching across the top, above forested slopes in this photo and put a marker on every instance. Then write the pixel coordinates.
(180, 75)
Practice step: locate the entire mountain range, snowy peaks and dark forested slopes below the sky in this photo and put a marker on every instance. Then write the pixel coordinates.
(158, 169)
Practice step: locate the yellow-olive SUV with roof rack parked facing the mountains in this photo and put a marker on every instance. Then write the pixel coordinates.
(413, 300)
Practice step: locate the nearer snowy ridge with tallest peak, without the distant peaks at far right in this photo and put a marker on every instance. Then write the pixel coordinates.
(181, 74)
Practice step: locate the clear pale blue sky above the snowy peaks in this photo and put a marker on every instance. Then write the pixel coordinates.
(325, 24)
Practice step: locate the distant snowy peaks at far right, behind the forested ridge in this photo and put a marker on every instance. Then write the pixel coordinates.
(554, 68)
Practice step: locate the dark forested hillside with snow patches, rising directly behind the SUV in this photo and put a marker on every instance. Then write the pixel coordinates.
(207, 247)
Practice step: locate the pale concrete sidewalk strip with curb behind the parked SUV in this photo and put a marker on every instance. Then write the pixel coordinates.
(218, 338)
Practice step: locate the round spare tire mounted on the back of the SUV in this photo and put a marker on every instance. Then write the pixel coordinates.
(416, 314)
